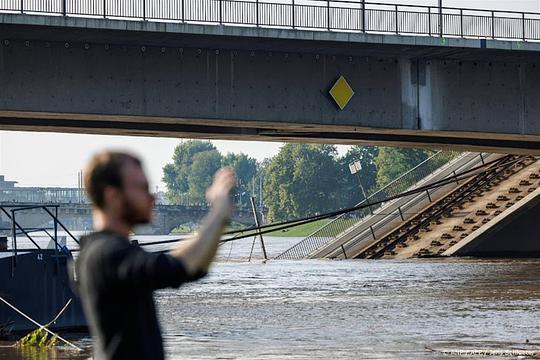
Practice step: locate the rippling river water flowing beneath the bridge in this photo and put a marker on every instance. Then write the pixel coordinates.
(370, 309)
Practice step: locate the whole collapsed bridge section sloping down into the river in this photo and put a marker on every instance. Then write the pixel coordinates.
(471, 205)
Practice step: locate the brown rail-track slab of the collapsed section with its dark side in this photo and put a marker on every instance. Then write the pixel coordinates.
(463, 229)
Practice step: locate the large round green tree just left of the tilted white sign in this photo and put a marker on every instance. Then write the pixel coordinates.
(301, 180)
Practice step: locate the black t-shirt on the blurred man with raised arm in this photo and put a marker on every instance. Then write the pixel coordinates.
(115, 281)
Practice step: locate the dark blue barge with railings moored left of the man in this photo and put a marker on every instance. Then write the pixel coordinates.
(36, 279)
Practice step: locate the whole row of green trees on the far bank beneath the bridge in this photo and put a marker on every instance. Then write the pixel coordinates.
(301, 180)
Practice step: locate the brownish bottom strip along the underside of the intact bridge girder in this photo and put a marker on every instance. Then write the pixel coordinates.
(255, 131)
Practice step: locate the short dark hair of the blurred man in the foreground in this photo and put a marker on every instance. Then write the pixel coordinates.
(105, 169)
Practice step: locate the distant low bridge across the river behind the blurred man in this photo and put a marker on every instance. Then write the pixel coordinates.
(79, 217)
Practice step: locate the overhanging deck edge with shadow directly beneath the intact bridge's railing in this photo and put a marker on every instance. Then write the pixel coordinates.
(227, 36)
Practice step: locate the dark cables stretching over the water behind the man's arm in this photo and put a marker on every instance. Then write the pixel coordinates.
(265, 229)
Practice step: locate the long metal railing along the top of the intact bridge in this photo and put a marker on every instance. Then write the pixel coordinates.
(345, 15)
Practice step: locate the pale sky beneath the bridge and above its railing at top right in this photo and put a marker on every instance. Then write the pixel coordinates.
(50, 159)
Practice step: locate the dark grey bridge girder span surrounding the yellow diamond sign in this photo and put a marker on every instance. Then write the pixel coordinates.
(184, 80)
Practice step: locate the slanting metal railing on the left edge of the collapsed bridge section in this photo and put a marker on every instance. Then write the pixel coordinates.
(344, 223)
